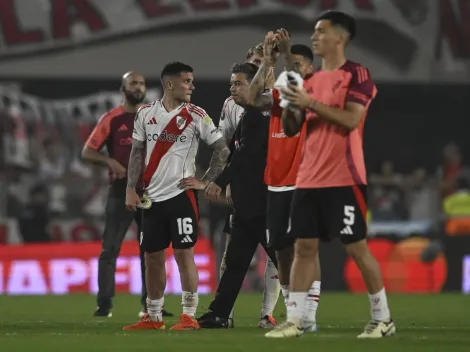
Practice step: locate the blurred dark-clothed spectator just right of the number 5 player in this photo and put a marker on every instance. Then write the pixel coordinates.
(386, 194)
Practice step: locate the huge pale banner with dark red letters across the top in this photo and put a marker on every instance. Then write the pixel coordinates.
(399, 40)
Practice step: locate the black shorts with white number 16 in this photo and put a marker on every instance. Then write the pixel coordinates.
(174, 221)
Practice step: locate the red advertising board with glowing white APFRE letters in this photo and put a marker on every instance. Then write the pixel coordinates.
(63, 268)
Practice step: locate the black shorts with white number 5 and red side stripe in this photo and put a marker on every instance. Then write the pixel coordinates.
(327, 213)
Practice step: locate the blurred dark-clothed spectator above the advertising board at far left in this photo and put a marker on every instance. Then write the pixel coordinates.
(34, 218)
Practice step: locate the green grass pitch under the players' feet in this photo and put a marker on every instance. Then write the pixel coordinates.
(65, 323)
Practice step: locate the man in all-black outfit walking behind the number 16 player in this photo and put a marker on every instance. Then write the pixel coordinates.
(245, 174)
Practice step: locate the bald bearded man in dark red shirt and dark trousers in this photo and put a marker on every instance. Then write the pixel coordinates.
(114, 130)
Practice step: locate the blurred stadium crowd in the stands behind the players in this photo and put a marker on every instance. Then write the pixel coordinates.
(41, 170)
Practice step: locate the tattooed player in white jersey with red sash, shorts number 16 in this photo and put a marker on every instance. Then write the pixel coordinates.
(167, 134)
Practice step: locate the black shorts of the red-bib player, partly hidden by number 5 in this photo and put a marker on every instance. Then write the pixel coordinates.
(278, 215)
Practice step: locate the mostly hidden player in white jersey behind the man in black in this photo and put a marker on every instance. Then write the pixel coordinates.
(229, 119)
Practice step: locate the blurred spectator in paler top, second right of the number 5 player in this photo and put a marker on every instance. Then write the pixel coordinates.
(422, 196)
